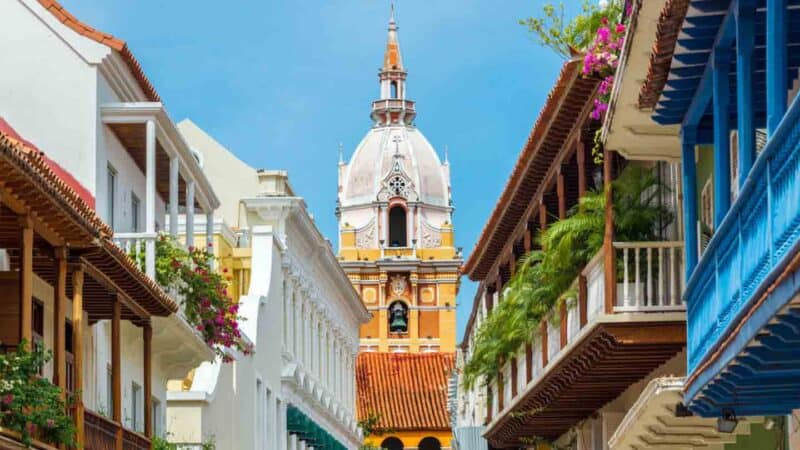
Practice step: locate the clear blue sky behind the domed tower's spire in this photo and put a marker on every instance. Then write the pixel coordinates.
(281, 83)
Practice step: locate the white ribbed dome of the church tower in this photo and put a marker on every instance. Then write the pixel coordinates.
(395, 161)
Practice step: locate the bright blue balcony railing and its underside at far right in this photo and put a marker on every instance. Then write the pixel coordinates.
(744, 316)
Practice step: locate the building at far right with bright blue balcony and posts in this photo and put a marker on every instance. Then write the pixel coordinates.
(725, 107)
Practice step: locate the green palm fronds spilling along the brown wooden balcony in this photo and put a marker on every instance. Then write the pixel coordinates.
(544, 277)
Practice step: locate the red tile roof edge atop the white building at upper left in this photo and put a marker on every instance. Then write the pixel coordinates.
(119, 45)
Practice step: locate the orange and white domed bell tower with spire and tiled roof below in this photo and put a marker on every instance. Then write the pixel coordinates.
(396, 245)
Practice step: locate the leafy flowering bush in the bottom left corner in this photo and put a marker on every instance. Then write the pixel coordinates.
(29, 404)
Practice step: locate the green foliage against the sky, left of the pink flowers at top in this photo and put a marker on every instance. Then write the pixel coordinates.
(565, 36)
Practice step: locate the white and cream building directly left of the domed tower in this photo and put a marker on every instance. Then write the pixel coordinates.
(302, 315)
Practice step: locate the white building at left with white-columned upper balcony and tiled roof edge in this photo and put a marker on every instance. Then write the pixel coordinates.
(81, 96)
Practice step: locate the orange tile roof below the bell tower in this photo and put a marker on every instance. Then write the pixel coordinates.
(406, 391)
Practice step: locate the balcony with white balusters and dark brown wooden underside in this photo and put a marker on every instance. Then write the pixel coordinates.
(590, 350)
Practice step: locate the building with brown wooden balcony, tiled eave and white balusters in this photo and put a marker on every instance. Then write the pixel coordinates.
(619, 325)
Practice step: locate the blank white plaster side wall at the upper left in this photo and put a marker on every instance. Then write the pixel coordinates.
(48, 86)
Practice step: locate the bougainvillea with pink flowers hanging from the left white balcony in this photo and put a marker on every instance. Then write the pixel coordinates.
(207, 305)
